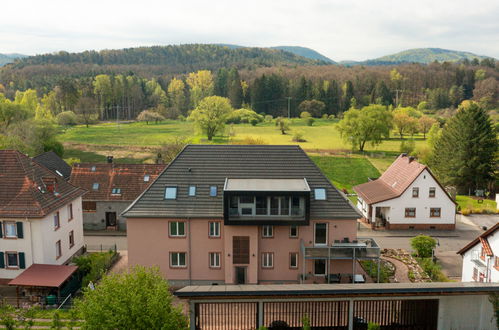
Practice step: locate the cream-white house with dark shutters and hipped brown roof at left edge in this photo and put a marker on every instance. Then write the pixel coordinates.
(40, 215)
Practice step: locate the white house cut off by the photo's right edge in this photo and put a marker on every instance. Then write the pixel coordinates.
(481, 257)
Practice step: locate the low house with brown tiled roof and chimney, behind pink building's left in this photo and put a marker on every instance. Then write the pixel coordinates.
(111, 188)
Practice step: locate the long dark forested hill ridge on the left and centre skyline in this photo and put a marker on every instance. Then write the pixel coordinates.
(178, 58)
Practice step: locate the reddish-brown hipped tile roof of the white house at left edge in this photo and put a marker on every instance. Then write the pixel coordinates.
(23, 192)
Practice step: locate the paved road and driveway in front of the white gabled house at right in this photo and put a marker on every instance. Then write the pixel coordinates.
(450, 241)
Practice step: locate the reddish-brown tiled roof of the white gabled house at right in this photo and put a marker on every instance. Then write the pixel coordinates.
(394, 181)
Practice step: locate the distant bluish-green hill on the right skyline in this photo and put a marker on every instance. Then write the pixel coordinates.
(424, 55)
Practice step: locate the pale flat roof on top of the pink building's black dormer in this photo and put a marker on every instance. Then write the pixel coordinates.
(291, 185)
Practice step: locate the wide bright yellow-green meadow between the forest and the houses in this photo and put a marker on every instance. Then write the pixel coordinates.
(323, 135)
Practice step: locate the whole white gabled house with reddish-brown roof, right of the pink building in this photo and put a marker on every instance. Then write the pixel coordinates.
(406, 196)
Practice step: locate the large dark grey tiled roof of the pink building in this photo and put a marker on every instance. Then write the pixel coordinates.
(209, 165)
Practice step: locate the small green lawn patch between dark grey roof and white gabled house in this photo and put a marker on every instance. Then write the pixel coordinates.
(346, 172)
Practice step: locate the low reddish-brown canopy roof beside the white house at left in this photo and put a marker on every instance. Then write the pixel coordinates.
(40, 275)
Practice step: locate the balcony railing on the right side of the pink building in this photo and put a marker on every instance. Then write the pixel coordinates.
(363, 248)
